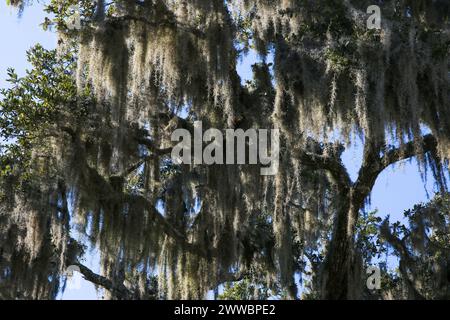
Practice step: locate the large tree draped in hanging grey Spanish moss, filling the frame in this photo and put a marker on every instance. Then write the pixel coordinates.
(94, 151)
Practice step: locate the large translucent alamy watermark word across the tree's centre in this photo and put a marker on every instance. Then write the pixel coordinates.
(228, 147)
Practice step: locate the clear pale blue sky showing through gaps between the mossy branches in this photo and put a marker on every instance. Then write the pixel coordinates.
(394, 192)
